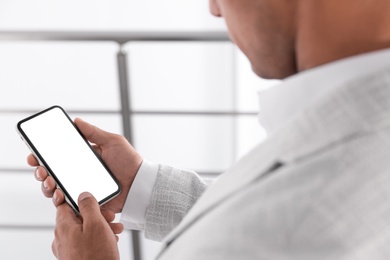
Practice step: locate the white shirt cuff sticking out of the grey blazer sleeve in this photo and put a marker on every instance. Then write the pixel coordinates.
(134, 210)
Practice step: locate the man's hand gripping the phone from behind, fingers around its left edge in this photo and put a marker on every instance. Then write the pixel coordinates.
(115, 151)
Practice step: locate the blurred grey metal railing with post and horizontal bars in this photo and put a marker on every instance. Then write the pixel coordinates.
(123, 37)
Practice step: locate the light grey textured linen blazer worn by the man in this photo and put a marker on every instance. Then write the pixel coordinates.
(318, 188)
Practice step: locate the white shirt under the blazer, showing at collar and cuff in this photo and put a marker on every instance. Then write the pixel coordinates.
(279, 105)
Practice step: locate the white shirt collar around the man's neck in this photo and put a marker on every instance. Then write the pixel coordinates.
(284, 101)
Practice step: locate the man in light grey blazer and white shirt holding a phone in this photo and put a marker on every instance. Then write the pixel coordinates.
(317, 188)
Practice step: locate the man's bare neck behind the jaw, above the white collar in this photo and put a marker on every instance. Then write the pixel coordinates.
(332, 30)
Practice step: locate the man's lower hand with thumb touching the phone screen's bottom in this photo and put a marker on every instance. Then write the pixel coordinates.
(85, 237)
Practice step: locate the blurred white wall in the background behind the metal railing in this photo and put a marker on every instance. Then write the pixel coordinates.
(82, 76)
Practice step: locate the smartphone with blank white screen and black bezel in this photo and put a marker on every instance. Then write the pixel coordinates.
(68, 157)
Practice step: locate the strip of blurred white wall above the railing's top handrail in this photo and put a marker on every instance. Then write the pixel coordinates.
(108, 15)
